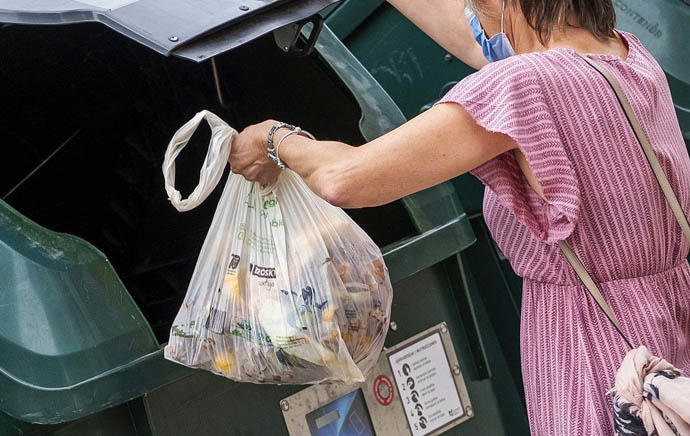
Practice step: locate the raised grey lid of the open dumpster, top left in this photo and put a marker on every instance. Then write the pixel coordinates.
(202, 27)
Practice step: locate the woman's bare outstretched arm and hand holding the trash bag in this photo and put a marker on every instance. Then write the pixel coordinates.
(437, 145)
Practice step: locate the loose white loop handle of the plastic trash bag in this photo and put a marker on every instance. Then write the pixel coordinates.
(219, 146)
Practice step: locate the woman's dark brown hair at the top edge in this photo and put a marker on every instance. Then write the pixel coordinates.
(597, 16)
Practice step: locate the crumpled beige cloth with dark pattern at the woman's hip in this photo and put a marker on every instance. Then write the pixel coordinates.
(650, 389)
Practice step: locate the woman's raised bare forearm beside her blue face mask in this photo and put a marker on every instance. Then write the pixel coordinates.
(444, 21)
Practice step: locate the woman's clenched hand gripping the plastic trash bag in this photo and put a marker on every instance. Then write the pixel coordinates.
(248, 154)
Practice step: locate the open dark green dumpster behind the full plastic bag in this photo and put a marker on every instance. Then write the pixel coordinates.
(92, 111)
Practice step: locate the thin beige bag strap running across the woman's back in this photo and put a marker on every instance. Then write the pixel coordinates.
(661, 178)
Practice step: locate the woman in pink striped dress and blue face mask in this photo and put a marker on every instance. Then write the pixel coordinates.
(544, 132)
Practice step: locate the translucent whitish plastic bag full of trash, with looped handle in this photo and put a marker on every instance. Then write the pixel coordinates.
(287, 288)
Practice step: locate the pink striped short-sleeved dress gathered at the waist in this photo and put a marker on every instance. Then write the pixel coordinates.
(603, 198)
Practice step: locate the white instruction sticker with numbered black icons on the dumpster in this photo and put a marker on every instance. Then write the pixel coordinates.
(426, 385)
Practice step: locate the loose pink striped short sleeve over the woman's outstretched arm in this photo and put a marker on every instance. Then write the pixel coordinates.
(510, 97)
